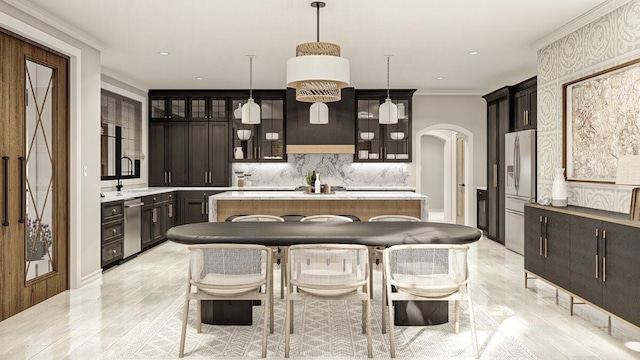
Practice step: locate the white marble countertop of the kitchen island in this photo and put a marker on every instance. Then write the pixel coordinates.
(300, 195)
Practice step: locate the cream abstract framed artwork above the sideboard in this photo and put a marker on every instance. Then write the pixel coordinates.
(601, 122)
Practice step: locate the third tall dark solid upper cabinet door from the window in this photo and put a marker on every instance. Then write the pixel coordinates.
(198, 153)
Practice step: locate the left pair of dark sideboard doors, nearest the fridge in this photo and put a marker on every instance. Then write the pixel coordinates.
(547, 246)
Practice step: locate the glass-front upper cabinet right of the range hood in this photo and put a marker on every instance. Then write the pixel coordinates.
(382, 142)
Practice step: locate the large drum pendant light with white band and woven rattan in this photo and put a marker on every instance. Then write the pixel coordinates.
(318, 73)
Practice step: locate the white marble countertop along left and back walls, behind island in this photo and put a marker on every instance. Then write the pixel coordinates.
(140, 192)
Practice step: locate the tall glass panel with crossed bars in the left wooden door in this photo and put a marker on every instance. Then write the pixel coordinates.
(38, 173)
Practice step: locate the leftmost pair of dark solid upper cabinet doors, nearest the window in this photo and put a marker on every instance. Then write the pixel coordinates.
(168, 153)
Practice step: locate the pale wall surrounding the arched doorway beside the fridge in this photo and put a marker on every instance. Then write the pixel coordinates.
(469, 112)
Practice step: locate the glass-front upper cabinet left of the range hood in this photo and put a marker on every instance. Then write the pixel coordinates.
(264, 141)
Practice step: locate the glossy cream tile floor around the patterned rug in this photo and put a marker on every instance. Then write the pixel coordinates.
(99, 320)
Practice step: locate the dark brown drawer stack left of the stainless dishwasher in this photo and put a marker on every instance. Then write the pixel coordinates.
(112, 234)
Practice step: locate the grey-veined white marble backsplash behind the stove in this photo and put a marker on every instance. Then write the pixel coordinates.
(334, 169)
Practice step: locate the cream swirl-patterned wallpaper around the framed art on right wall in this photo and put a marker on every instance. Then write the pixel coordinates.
(611, 40)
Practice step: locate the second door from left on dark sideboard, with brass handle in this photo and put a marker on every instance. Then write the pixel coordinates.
(557, 249)
